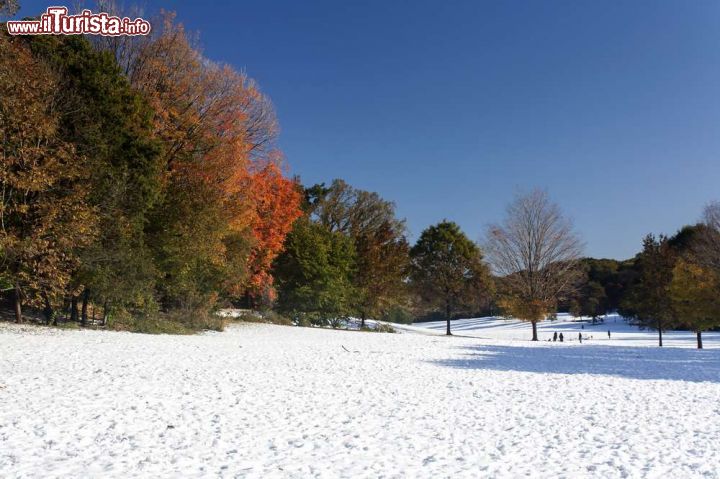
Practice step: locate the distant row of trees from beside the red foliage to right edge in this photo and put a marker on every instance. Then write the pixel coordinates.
(348, 256)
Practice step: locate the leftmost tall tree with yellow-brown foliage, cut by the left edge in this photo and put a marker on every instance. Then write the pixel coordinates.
(44, 215)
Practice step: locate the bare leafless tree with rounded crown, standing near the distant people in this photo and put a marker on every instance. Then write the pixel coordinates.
(535, 252)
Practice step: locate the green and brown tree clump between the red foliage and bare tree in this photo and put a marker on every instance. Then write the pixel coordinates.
(348, 256)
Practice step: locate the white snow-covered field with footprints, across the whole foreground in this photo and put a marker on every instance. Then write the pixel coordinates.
(272, 401)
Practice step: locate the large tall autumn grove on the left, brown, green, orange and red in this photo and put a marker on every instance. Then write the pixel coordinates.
(137, 176)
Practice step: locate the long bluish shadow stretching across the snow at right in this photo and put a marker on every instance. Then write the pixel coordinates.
(673, 364)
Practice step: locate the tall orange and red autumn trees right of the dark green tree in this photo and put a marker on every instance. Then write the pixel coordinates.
(227, 205)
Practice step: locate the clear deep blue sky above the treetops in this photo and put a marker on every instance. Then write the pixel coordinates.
(448, 108)
